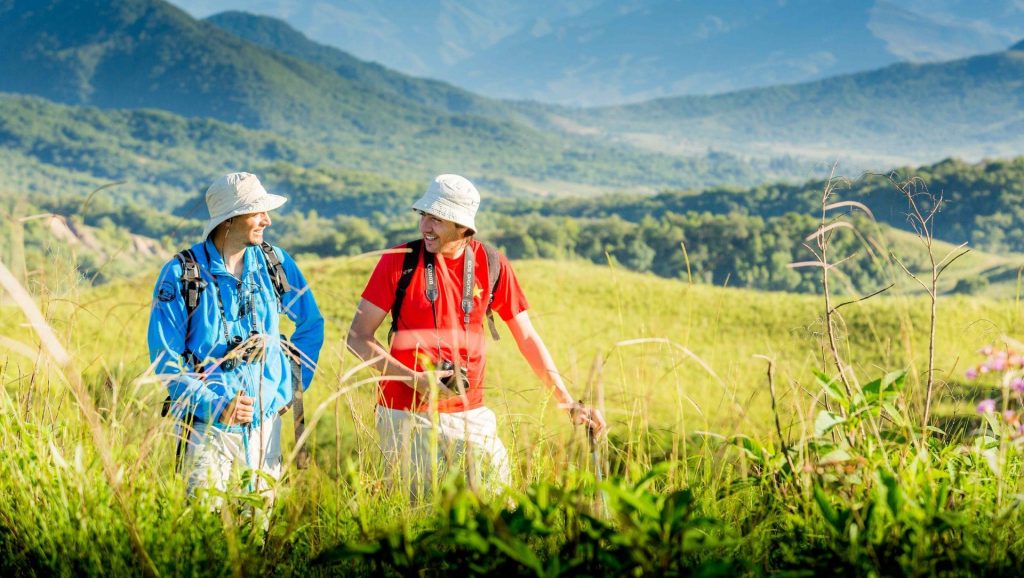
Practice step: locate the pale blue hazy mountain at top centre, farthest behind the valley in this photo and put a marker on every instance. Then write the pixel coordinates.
(664, 48)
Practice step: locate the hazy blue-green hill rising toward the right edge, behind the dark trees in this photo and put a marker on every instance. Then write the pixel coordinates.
(972, 109)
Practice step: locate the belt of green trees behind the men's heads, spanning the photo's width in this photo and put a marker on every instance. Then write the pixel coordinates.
(741, 238)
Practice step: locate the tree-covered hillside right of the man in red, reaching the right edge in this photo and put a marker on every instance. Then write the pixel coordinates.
(750, 235)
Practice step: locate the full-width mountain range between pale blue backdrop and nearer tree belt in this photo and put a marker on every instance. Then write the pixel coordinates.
(289, 100)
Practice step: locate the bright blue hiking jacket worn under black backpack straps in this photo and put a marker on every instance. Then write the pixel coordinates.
(249, 305)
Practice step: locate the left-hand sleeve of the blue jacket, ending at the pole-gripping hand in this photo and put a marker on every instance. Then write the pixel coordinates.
(166, 339)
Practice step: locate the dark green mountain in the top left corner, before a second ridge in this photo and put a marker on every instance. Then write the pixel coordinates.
(147, 54)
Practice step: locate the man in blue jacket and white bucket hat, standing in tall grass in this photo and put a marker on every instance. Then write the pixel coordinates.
(221, 353)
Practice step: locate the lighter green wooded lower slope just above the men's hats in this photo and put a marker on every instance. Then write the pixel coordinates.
(167, 160)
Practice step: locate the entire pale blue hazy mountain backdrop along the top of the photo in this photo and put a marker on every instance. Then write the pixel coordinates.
(616, 52)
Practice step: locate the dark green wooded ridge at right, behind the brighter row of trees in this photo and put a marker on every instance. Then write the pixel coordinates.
(983, 203)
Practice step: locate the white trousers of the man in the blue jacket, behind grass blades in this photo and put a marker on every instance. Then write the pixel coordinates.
(220, 461)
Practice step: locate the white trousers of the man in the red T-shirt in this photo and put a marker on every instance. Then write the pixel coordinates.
(414, 450)
